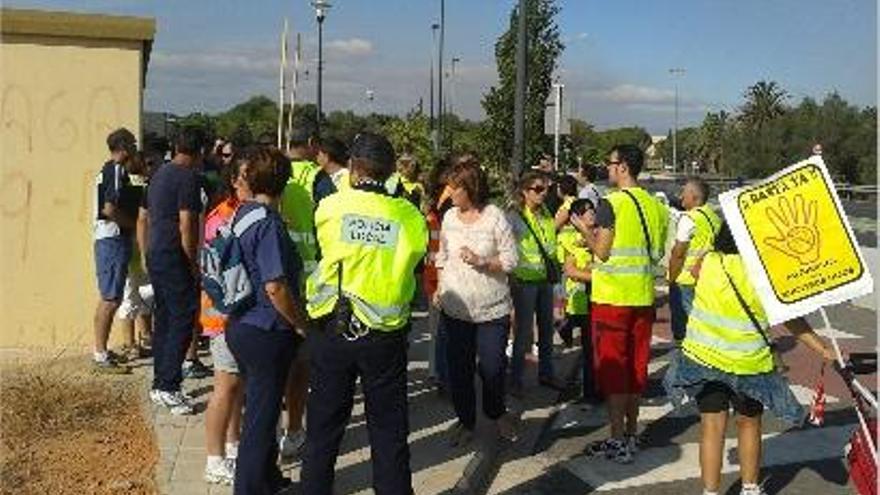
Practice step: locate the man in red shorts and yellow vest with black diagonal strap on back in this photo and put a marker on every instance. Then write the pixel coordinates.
(627, 237)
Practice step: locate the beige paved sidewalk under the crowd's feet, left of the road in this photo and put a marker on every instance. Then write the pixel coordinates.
(436, 467)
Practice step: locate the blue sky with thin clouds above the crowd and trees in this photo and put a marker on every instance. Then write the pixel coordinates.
(211, 54)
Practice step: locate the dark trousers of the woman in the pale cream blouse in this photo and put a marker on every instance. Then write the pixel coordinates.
(467, 342)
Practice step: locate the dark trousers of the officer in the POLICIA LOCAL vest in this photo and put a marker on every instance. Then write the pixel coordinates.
(379, 359)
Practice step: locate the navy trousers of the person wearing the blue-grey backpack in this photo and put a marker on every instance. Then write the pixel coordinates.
(264, 357)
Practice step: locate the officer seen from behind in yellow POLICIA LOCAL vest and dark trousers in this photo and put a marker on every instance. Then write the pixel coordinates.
(360, 297)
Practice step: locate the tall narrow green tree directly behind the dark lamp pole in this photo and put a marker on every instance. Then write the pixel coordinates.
(543, 51)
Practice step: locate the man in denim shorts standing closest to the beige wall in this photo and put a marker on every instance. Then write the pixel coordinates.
(114, 222)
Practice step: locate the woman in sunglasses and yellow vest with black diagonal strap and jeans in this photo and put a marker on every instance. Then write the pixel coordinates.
(531, 284)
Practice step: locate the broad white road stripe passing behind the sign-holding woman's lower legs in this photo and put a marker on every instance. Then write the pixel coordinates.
(681, 462)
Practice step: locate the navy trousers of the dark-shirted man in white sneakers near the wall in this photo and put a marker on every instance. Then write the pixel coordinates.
(177, 303)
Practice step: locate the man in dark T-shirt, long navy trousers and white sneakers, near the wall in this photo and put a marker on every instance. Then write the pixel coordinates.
(173, 207)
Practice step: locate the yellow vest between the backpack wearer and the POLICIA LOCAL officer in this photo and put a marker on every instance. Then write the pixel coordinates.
(298, 211)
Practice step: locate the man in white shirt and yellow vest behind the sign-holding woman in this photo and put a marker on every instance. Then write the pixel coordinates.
(694, 236)
